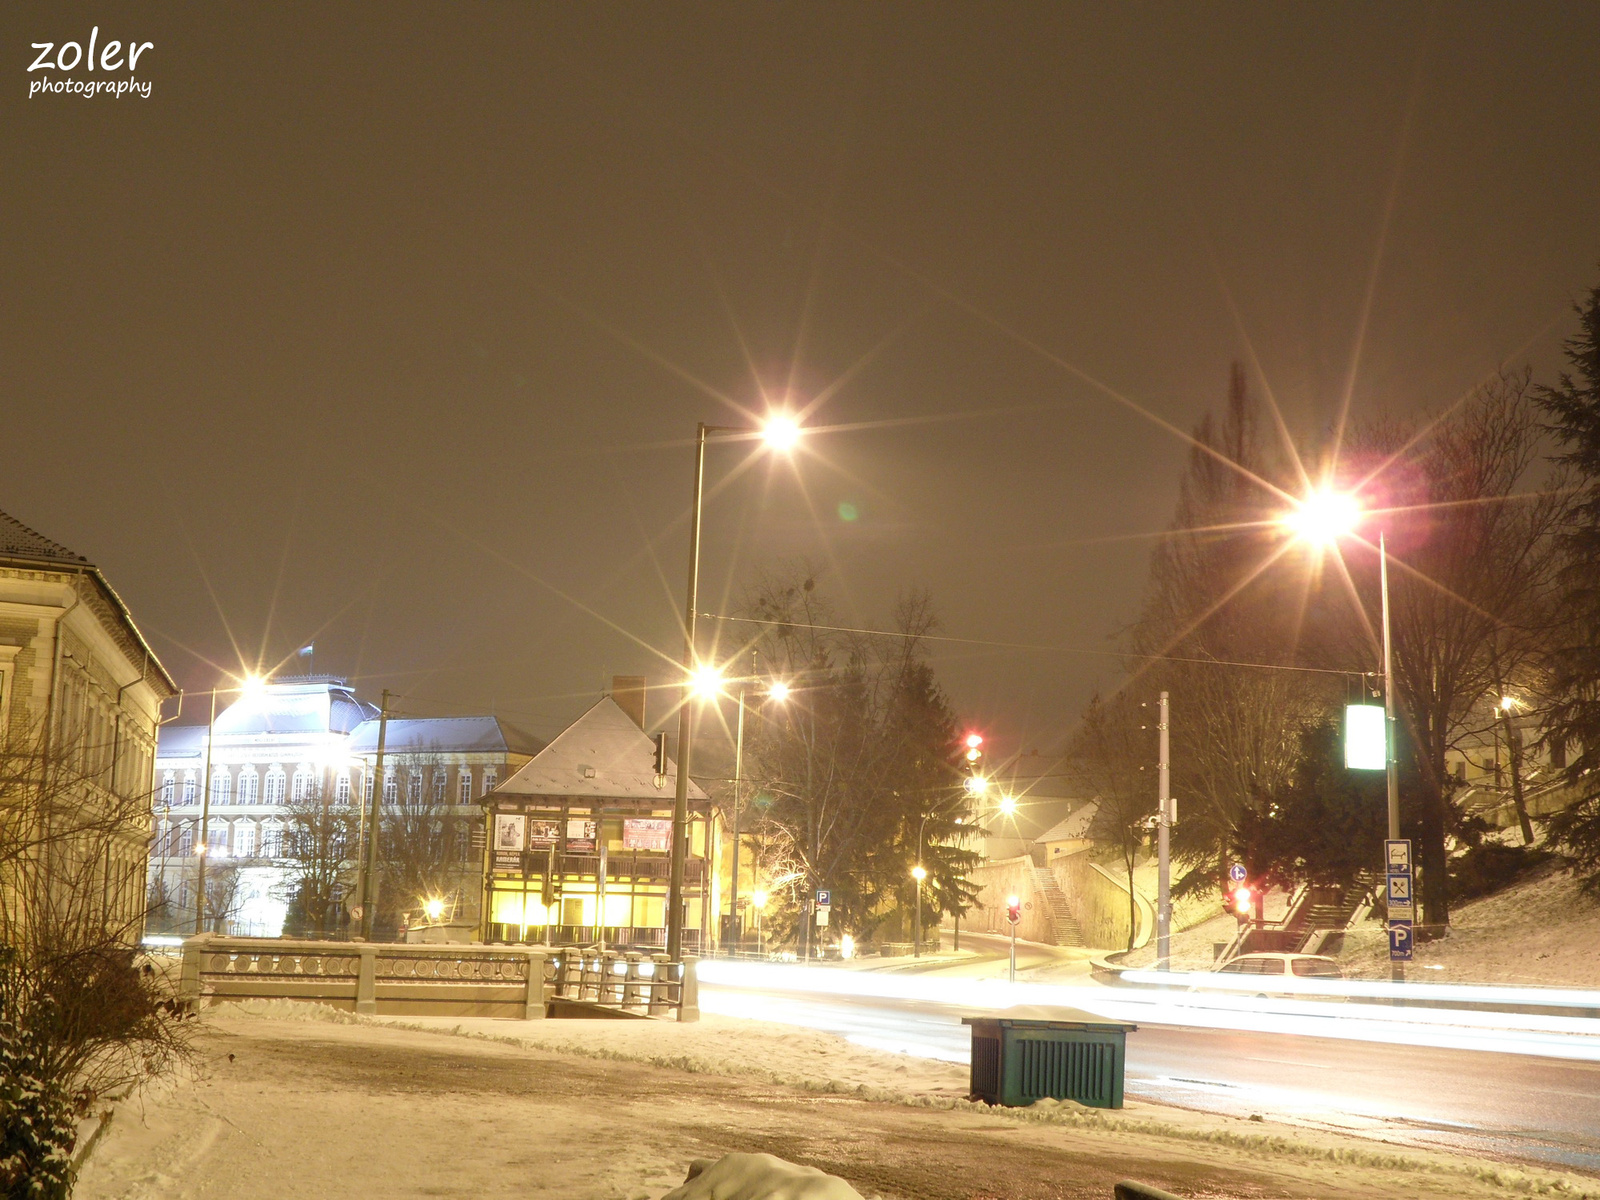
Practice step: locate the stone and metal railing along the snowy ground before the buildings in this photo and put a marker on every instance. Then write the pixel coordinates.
(399, 980)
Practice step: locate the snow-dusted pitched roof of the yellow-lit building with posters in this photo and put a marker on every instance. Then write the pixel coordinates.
(602, 754)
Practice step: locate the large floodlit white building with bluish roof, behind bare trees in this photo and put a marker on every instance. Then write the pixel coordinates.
(295, 754)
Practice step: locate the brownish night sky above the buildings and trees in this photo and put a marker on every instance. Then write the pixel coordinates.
(388, 326)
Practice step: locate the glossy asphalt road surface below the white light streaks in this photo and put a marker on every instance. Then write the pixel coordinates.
(1505, 1105)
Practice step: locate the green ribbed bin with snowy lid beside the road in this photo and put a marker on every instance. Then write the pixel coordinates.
(1060, 1054)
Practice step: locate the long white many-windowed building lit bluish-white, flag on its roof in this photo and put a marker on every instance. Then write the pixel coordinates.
(286, 743)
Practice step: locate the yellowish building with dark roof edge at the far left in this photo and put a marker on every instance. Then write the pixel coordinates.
(81, 702)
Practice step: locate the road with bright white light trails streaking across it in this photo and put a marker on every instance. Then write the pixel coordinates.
(1417, 1084)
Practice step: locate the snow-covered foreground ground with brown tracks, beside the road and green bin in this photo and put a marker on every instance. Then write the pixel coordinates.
(306, 1103)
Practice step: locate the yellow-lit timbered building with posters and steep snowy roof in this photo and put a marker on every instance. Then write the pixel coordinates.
(580, 838)
